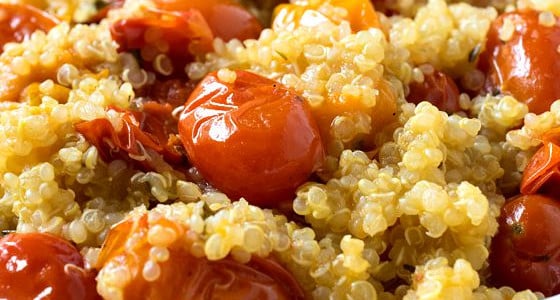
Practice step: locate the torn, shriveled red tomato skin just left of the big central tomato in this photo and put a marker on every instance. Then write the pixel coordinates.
(140, 136)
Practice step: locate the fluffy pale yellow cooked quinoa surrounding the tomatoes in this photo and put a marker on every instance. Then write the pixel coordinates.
(409, 216)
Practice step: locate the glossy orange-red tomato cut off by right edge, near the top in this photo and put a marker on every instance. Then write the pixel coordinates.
(527, 63)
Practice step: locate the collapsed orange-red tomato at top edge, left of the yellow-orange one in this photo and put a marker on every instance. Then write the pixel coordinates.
(182, 30)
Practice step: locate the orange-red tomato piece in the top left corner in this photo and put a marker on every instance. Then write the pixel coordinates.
(19, 21)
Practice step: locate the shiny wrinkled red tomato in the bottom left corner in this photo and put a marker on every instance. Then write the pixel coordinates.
(43, 266)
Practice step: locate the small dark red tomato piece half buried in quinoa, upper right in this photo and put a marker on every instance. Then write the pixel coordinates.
(437, 88)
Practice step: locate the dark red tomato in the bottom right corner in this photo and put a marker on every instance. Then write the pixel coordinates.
(525, 254)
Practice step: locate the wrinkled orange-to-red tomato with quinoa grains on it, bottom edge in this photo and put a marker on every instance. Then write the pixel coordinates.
(144, 258)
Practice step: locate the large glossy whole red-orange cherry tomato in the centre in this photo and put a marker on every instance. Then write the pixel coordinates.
(252, 138)
